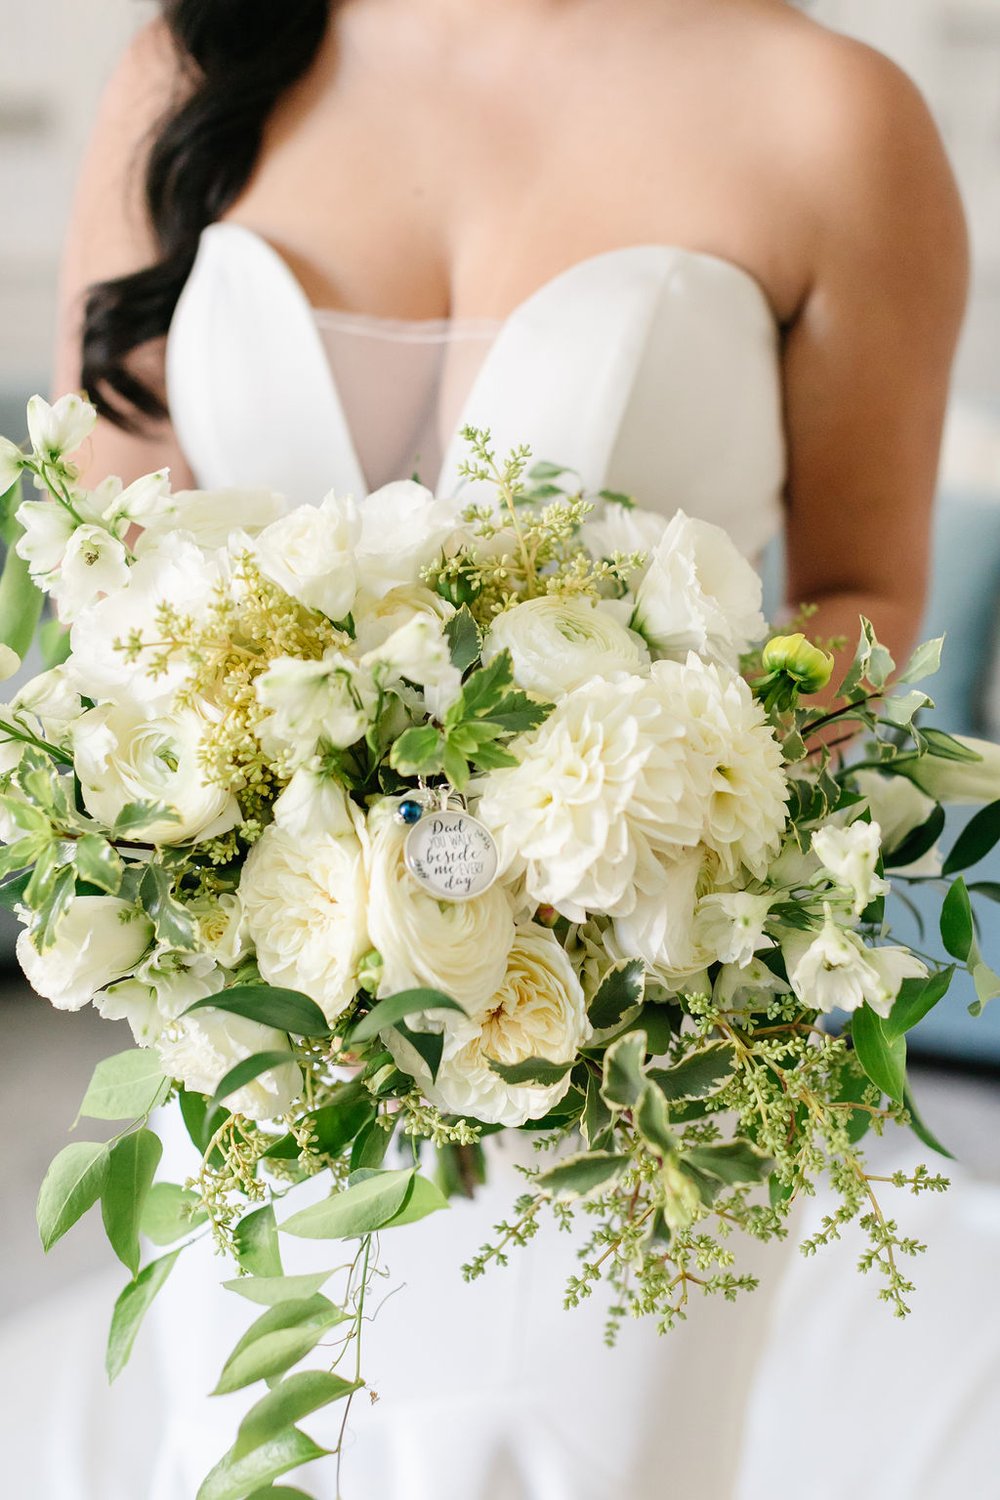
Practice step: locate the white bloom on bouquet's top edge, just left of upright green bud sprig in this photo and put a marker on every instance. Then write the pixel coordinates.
(404, 530)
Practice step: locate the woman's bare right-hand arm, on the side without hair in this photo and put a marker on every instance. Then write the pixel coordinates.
(869, 358)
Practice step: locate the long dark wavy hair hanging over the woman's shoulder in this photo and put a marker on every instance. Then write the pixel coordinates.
(239, 58)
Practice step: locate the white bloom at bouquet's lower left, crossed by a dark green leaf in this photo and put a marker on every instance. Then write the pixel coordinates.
(203, 1048)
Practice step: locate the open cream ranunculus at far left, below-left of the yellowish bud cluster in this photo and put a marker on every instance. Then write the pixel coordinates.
(122, 757)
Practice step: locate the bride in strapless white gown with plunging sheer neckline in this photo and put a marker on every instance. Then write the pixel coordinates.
(702, 251)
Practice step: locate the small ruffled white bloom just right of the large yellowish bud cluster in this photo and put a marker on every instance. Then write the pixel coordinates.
(332, 700)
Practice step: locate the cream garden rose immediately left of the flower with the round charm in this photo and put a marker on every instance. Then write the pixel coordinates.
(307, 910)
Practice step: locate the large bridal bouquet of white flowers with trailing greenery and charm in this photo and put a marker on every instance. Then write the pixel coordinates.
(413, 821)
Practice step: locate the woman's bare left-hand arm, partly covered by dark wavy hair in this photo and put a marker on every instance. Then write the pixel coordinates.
(110, 236)
